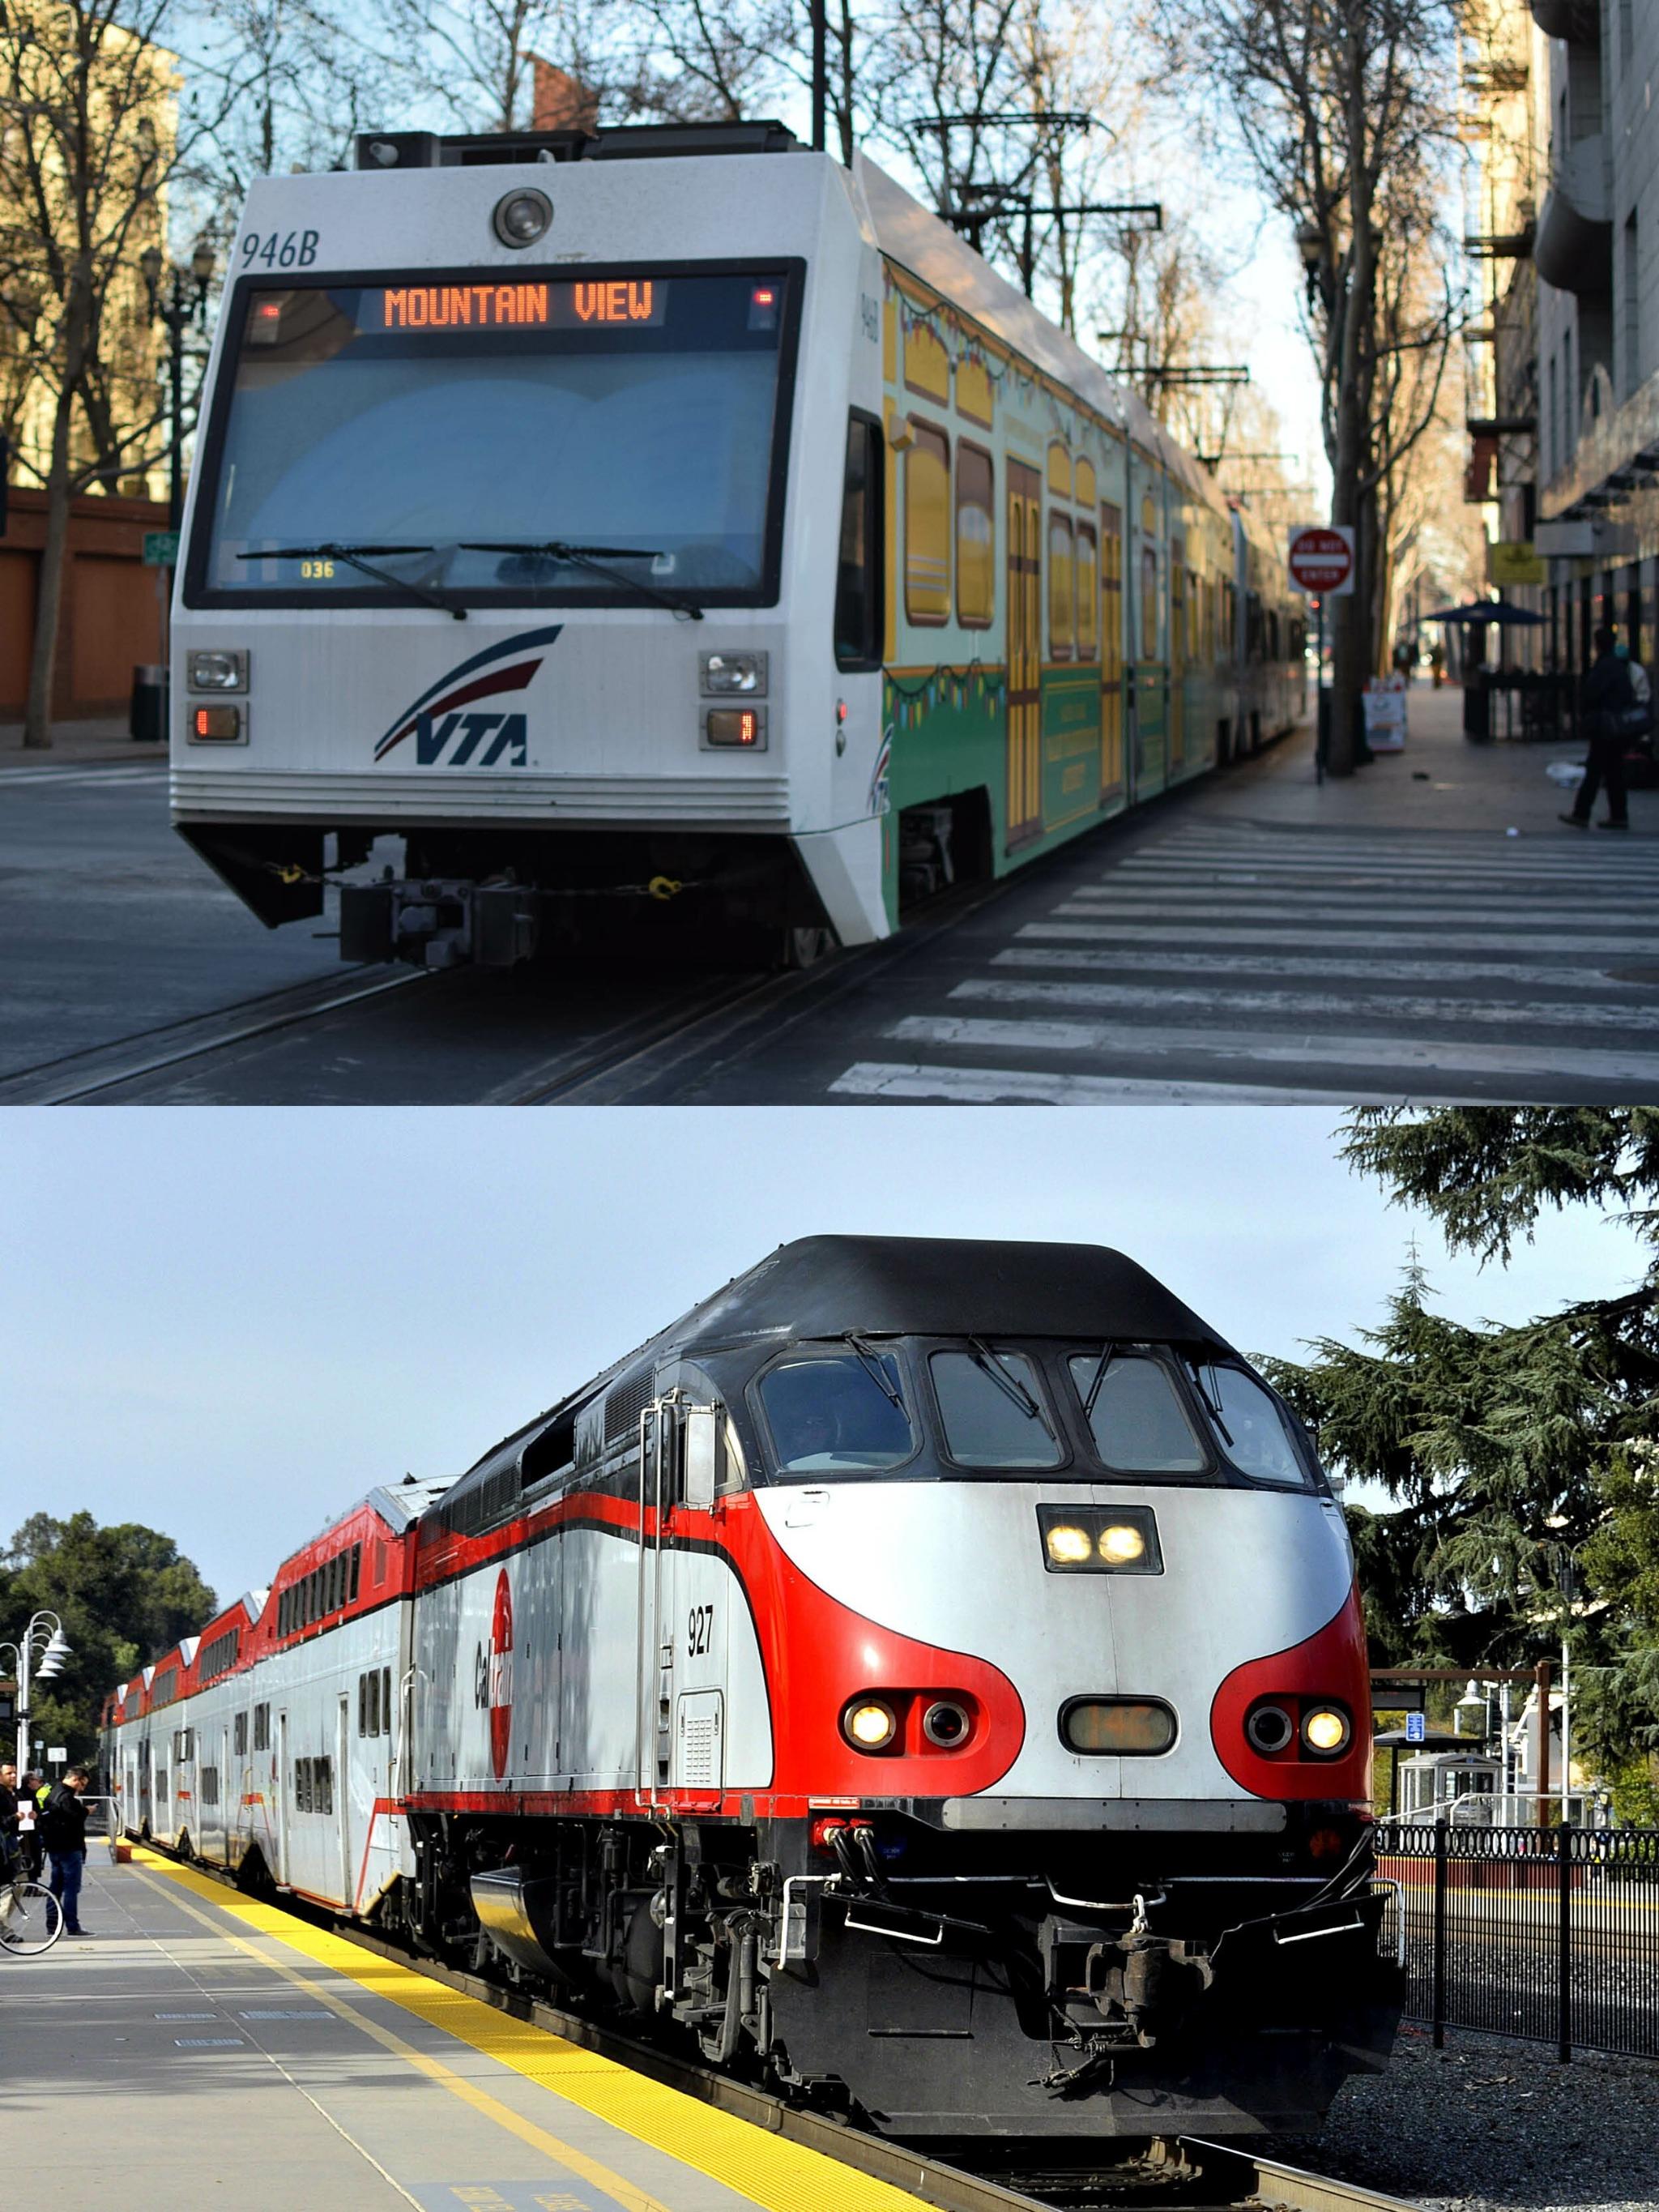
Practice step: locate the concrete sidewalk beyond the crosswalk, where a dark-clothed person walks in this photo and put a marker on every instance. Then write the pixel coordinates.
(1439, 784)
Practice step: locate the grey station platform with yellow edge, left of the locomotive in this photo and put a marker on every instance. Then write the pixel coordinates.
(198, 2047)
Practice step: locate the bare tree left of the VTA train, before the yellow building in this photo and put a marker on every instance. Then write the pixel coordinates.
(90, 143)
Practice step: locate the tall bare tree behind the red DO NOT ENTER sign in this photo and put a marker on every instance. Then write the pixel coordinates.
(1344, 109)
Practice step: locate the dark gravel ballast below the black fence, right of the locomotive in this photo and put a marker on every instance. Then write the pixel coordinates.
(1494, 2127)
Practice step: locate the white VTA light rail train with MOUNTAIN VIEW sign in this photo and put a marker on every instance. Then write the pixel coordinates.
(674, 523)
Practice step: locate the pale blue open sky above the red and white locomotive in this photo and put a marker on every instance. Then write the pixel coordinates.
(233, 1324)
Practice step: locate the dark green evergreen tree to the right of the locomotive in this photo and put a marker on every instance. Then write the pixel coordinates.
(1523, 1459)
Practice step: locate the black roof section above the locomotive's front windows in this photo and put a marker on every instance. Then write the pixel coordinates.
(943, 1286)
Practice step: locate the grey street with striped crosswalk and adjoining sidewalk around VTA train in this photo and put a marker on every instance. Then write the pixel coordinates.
(1423, 930)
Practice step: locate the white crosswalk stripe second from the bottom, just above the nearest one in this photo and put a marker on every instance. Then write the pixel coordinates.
(1127, 1041)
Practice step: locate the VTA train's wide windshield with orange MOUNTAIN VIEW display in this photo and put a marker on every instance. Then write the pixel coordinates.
(534, 441)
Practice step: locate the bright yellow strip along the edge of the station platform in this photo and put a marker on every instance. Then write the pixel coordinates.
(766, 2169)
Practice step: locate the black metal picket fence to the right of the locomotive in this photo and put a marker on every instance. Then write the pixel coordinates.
(1538, 1932)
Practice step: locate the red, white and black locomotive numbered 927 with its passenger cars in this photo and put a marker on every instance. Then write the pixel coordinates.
(928, 1673)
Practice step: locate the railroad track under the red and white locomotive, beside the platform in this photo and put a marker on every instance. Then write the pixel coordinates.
(1191, 2173)
